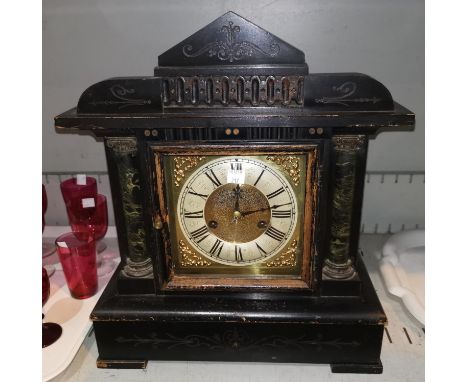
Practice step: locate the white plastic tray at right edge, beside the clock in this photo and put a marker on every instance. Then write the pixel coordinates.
(402, 268)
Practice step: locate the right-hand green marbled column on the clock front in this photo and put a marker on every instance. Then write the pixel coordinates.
(338, 264)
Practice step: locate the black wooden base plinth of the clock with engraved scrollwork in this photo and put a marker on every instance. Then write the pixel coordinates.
(345, 332)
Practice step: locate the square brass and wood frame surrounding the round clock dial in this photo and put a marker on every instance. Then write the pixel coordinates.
(275, 276)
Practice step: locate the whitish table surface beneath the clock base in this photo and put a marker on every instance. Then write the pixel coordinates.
(402, 360)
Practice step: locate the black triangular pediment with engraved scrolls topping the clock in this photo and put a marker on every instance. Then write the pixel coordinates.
(231, 40)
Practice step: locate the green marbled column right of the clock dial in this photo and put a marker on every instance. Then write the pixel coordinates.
(349, 154)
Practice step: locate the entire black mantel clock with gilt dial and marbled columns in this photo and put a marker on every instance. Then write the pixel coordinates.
(237, 180)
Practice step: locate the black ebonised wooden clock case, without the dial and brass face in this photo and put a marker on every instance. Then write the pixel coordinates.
(233, 84)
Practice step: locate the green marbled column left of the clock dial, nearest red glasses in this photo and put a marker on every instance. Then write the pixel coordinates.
(122, 156)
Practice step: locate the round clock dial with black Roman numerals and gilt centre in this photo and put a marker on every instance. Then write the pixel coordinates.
(237, 210)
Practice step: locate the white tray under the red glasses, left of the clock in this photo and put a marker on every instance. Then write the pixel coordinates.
(70, 313)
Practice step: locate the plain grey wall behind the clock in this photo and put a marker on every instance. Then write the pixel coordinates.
(89, 40)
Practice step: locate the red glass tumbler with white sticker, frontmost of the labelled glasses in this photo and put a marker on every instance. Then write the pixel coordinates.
(78, 259)
